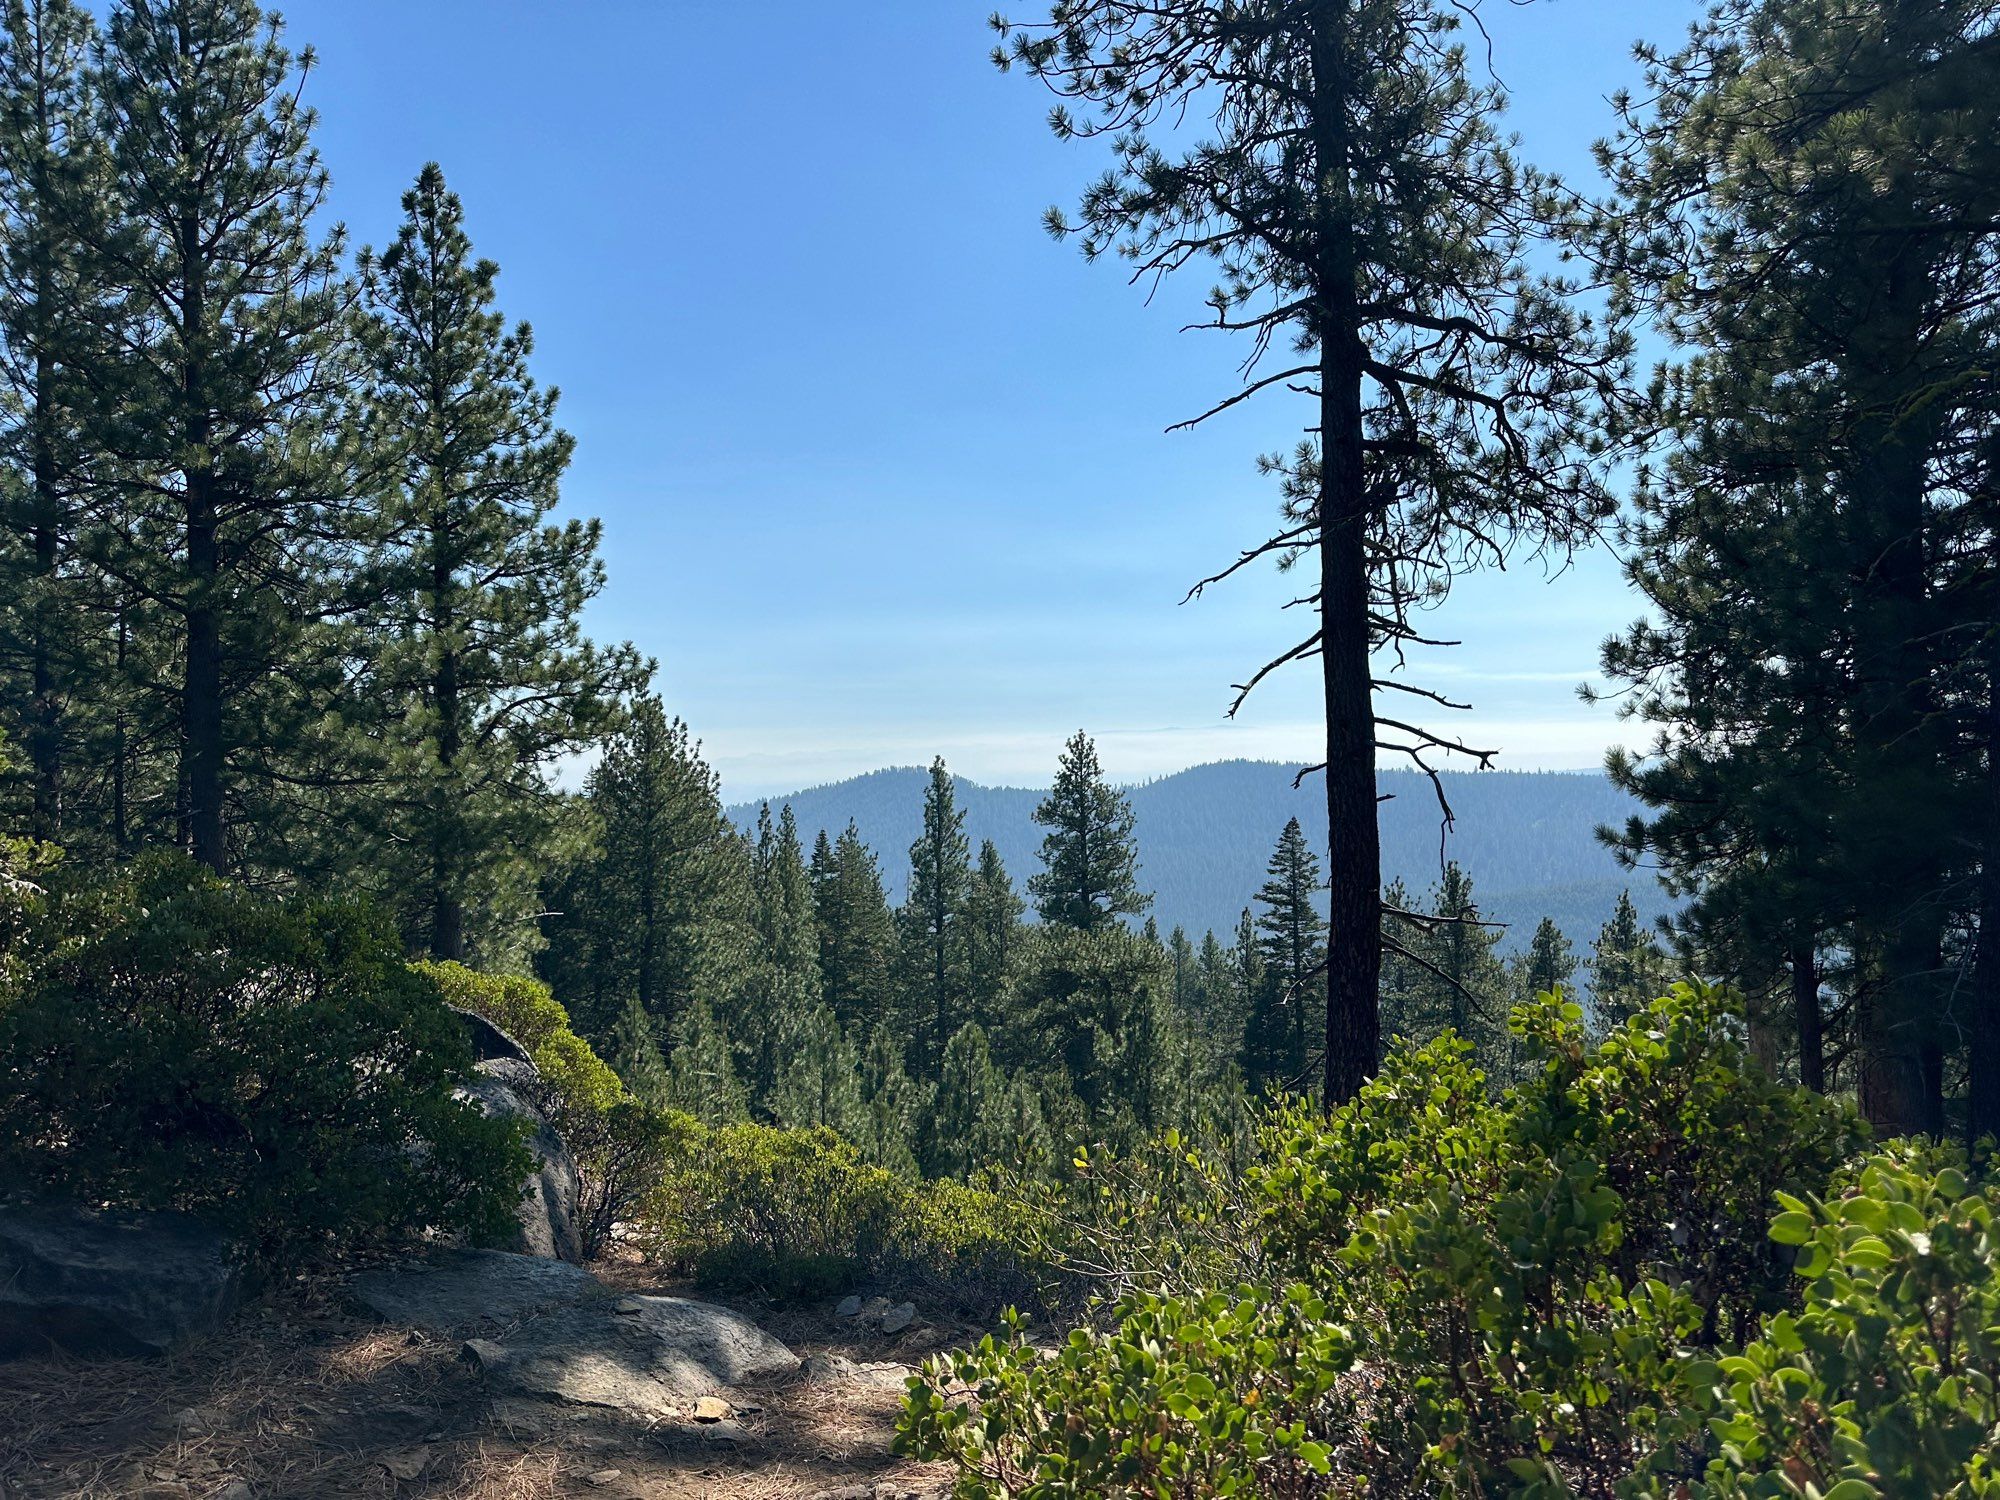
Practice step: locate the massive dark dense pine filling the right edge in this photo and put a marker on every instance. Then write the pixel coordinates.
(1817, 189)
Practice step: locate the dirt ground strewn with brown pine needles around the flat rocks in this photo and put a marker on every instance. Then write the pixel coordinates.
(303, 1399)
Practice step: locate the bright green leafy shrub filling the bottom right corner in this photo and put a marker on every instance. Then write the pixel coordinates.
(1883, 1383)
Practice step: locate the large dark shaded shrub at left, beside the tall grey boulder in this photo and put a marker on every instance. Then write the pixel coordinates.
(269, 1065)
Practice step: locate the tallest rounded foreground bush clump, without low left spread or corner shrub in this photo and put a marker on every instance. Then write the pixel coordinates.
(1531, 1267)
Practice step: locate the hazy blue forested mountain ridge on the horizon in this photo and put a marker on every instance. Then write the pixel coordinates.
(1205, 835)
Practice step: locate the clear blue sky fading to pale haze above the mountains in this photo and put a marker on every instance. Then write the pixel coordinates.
(883, 469)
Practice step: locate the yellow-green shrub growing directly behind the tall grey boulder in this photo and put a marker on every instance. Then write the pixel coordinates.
(621, 1145)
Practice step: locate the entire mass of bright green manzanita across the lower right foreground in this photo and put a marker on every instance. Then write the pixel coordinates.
(1571, 1289)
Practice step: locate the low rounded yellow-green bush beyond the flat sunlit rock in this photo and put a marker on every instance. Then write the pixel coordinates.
(799, 1213)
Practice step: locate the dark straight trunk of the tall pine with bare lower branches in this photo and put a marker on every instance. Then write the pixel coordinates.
(1355, 845)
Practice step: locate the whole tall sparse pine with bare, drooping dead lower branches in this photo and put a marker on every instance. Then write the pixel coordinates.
(1363, 213)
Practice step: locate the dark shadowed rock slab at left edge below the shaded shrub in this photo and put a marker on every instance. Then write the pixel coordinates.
(111, 1285)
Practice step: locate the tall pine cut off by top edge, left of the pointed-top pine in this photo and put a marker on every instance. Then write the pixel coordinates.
(221, 411)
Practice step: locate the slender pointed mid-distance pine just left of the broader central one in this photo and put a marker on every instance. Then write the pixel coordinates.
(931, 925)
